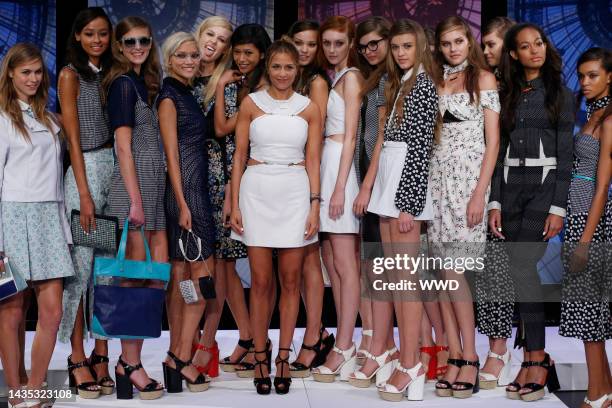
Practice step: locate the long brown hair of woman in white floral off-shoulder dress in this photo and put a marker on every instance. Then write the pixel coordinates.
(476, 60)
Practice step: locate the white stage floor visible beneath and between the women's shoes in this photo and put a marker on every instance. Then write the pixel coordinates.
(229, 391)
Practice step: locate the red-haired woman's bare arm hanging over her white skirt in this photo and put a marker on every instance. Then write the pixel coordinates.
(351, 92)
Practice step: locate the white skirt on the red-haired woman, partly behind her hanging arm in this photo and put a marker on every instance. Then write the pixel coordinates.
(348, 223)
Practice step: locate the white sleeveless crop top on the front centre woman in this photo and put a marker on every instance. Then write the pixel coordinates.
(279, 135)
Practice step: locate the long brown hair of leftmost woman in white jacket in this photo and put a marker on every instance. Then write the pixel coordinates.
(20, 54)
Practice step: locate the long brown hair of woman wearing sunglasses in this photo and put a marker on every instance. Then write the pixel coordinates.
(150, 69)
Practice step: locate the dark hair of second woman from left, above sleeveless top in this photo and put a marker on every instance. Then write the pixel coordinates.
(76, 55)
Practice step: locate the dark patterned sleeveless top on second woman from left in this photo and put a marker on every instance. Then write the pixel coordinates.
(93, 119)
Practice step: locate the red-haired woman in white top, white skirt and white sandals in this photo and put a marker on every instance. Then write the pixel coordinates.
(339, 189)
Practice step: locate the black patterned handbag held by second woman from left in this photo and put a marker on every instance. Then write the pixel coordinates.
(104, 237)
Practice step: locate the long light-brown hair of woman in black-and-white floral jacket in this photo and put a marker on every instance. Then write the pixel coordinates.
(423, 58)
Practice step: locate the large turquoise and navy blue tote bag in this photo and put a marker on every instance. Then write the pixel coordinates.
(126, 304)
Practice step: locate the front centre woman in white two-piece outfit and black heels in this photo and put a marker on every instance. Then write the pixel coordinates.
(275, 203)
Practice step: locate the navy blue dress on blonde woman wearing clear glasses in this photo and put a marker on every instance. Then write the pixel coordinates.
(191, 134)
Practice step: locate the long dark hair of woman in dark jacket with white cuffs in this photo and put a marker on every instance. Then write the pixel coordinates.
(514, 81)
